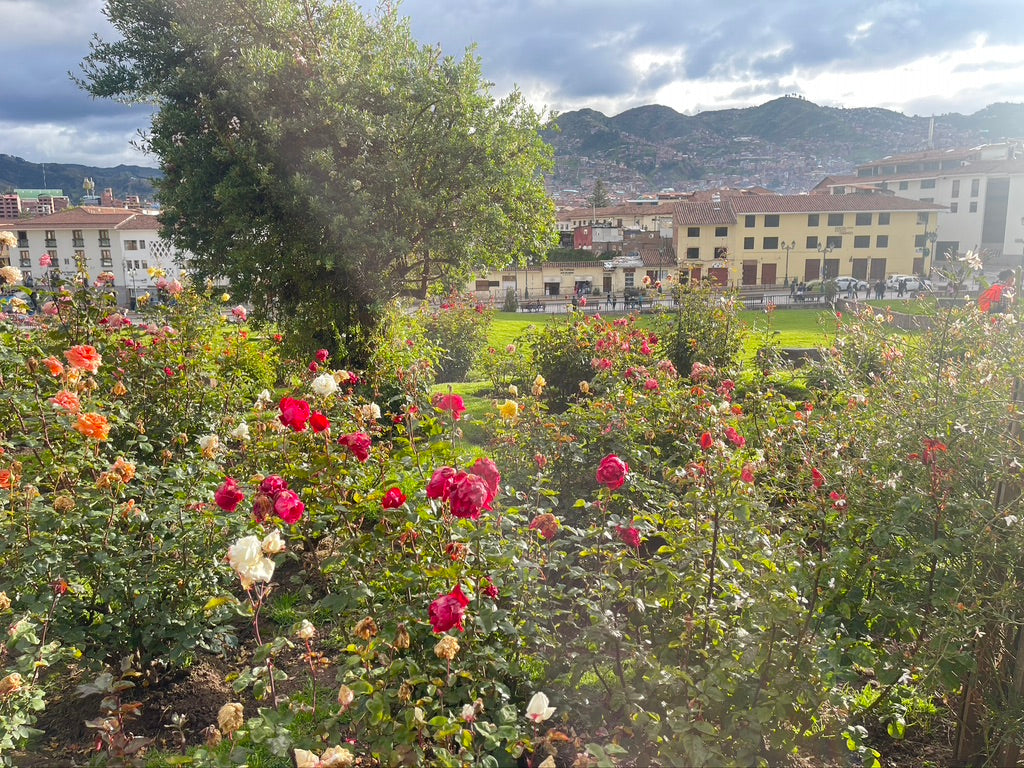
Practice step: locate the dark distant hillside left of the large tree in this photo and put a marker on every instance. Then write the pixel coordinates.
(124, 180)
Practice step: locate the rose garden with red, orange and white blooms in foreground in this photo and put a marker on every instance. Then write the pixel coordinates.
(643, 546)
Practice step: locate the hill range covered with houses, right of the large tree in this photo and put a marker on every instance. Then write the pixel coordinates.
(788, 145)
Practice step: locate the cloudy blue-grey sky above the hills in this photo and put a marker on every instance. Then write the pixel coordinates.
(917, 57)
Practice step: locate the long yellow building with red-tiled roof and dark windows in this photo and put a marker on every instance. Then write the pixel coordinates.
(775, 240)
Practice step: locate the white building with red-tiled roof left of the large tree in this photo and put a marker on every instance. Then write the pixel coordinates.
(107, 240)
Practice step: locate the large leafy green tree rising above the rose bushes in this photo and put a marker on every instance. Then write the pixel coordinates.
(322, 160)
